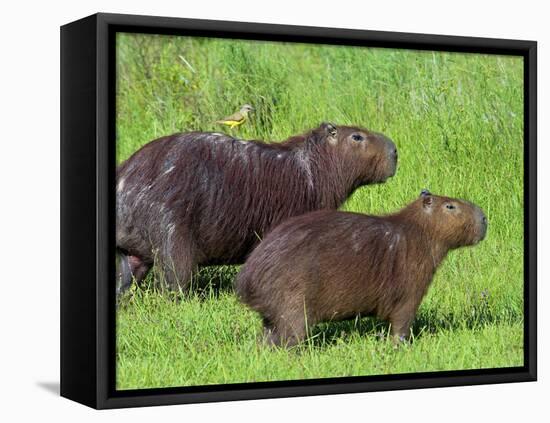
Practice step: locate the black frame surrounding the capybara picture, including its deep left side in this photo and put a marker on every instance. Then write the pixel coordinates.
(87, 210)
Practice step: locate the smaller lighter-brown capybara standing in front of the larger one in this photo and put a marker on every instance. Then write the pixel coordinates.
(329, 265)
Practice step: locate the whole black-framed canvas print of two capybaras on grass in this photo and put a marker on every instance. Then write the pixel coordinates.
(255, 211)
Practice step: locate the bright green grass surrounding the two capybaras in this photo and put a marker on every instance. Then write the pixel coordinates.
(457, 120)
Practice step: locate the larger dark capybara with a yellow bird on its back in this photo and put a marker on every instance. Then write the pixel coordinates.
(203, 198)
